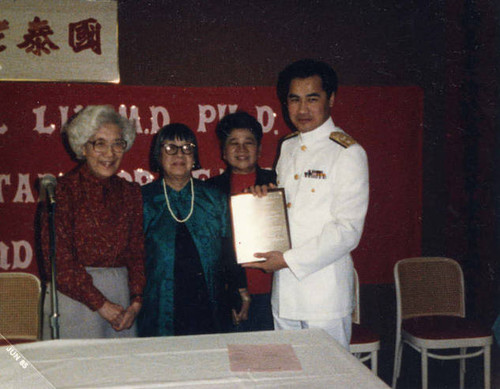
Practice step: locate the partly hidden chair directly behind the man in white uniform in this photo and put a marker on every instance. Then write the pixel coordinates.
(364, 342)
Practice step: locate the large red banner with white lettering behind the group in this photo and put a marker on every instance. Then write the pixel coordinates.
(387, 121)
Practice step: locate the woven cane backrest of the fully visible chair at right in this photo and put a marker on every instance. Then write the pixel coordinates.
(429, 286)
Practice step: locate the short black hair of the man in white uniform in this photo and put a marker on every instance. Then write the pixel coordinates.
(305, 68)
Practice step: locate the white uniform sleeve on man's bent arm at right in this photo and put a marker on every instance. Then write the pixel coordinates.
(348, 208)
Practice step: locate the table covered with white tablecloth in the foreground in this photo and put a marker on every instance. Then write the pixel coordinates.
(179, 362)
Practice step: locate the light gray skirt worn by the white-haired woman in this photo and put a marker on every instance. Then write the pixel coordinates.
(77, 321)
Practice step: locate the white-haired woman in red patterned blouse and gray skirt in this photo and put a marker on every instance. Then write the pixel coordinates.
(98, 223)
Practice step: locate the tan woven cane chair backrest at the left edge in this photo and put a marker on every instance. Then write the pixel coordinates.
(20, 306)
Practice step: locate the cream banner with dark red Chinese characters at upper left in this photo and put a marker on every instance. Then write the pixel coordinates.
(59, 40)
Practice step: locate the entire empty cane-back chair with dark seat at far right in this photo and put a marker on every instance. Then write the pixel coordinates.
(430, 297)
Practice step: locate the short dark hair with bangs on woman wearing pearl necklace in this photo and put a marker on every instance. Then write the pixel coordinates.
(172, 132)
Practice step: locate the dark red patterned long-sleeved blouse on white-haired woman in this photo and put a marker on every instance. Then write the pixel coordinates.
(98, 223)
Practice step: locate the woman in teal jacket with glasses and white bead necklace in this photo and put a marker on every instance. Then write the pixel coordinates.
(189, 260)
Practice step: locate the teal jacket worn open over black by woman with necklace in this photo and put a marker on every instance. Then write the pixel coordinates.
(210, 229)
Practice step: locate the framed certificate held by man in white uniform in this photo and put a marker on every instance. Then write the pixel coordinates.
(260, 224)
